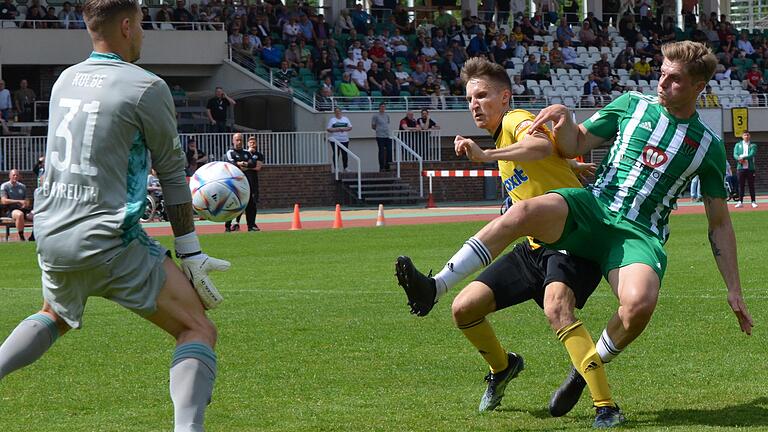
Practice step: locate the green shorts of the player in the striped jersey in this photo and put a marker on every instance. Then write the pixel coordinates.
(592, 232)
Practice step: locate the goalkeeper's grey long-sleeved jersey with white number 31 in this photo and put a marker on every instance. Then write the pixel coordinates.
(109, 122)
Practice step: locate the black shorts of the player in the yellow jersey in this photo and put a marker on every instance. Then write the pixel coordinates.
(522, 275)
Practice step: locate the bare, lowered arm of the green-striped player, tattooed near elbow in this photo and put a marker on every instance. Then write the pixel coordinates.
(723, 242)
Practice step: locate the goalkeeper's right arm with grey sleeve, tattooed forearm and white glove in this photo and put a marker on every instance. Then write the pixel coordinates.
(158, 119)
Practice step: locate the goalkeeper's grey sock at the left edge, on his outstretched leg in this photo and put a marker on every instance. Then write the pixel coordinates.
(27, 343)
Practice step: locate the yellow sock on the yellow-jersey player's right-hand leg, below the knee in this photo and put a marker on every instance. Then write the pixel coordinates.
(585, 359)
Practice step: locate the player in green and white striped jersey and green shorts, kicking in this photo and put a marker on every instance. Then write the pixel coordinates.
(621, 221)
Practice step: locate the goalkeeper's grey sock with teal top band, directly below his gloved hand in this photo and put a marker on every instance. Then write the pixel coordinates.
(193, 371)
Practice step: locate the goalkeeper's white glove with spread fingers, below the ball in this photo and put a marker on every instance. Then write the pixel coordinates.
(196, 265)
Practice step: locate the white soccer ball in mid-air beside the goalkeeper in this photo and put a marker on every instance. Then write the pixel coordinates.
(220, 191)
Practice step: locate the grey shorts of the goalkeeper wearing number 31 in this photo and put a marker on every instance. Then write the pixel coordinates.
(133, 279)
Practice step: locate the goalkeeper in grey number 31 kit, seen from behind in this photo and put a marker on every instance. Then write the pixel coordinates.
(107, 116)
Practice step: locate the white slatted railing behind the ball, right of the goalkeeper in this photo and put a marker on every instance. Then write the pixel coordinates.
(279, 148)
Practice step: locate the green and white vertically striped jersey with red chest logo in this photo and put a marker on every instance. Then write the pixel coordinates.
(653, 157)
